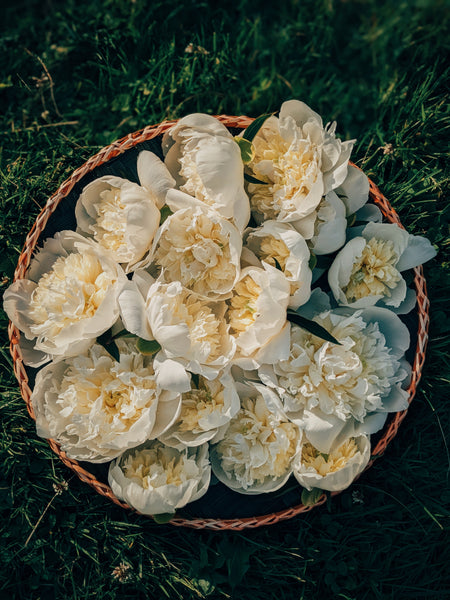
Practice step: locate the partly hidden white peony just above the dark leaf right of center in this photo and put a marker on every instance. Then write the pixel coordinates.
(281, 246)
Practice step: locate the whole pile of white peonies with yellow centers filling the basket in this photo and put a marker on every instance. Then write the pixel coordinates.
(236, 312)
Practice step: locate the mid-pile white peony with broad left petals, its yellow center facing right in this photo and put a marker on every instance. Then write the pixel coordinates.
(192, 331)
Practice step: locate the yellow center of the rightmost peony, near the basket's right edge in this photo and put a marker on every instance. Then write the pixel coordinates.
(374, 273)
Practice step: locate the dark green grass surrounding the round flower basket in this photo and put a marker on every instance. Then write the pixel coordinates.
(114, 66)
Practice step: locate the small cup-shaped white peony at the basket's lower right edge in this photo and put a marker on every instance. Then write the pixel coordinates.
(335, 470)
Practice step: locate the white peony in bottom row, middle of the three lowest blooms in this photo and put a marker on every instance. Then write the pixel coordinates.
(256, 453)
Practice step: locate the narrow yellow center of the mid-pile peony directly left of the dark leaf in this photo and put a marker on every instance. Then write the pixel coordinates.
(243, 310)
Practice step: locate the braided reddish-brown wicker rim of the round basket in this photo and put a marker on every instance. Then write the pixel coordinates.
(117, 149)
